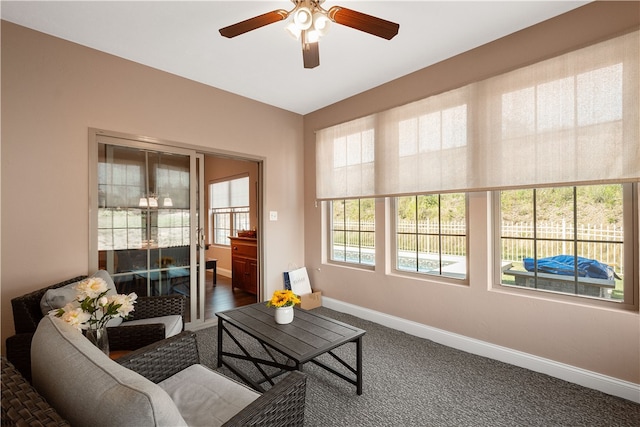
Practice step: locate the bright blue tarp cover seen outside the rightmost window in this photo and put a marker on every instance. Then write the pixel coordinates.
(565, 265)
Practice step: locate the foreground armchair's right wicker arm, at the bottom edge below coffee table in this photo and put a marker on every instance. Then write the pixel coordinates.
(281, 405)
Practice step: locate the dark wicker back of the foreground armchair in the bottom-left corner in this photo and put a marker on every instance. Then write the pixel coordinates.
(22, 405)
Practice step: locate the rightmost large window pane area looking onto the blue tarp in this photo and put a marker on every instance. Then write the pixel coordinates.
(568, 240)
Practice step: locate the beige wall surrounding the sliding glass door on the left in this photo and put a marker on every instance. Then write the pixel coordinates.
(53, 91)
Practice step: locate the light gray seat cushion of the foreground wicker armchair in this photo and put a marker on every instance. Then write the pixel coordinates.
(205, 397)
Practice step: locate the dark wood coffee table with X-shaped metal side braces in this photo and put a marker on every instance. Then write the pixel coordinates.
(301, 341)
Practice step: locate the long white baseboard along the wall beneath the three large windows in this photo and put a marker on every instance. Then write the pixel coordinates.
(593, 380)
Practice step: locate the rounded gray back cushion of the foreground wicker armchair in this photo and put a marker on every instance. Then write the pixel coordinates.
(88, 388)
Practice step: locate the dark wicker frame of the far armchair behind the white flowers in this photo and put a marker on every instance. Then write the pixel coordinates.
(27, 314)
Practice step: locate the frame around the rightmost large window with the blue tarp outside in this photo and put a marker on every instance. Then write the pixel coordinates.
(631, 192)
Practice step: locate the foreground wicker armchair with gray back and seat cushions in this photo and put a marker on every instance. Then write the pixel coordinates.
(159, 385)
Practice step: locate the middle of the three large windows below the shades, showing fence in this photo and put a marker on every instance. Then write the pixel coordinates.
(431, 234)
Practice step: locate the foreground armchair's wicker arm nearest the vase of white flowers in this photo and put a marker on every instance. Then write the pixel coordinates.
(162, 359)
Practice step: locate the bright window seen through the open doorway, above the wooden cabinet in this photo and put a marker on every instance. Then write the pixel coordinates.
(229, 209)
